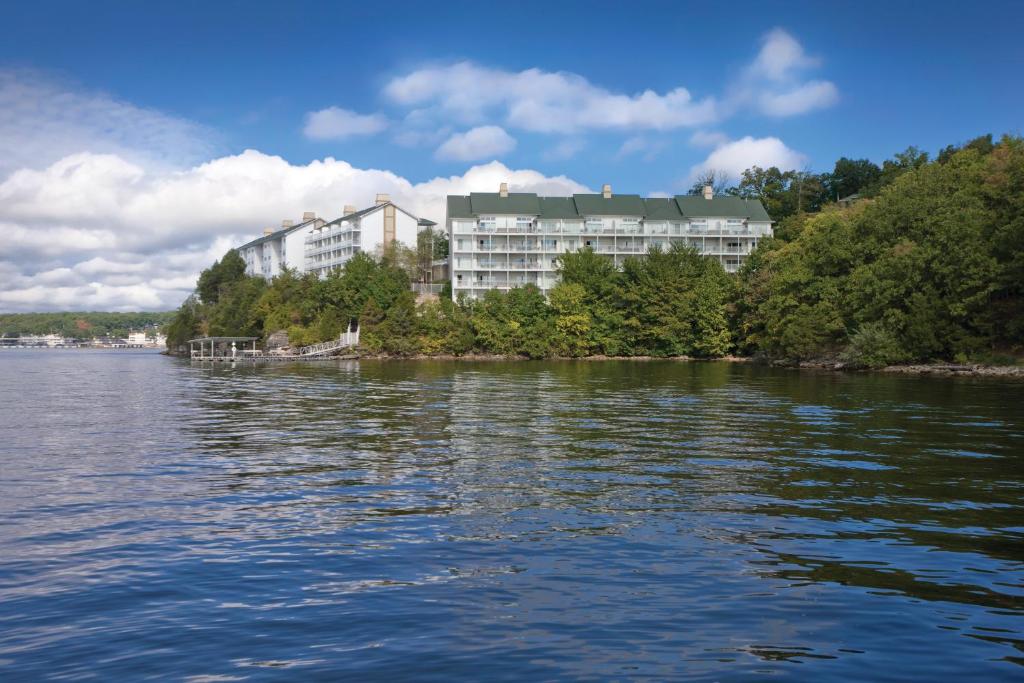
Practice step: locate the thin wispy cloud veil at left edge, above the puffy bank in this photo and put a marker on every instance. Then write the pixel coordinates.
(44, 120)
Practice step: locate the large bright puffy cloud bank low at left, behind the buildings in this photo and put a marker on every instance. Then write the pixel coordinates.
(100, 232)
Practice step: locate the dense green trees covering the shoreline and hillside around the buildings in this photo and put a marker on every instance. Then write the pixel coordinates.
(919, 260)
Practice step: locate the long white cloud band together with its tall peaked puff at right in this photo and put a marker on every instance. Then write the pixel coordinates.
(775, 83)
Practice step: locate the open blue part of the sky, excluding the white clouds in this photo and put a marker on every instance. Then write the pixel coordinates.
(925, 74)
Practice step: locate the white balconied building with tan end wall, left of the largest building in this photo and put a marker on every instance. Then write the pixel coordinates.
(329, 246)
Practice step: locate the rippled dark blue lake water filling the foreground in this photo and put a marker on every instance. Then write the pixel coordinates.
(505, 522)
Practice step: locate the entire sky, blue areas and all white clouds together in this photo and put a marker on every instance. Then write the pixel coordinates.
(135, 117)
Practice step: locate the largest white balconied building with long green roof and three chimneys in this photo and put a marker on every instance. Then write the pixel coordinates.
(504, 240)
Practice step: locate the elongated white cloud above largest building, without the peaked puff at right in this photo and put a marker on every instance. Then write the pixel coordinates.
(543, 102)
